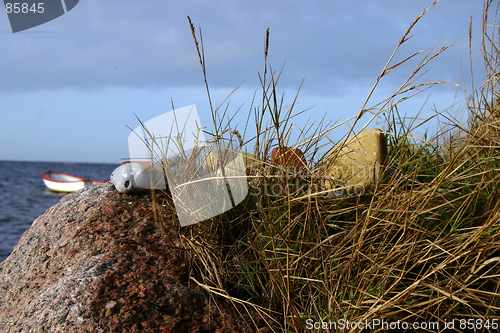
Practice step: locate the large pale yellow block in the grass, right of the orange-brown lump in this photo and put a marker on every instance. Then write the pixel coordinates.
(359, 161)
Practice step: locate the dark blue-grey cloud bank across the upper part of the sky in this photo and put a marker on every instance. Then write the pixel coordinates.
(336, 45)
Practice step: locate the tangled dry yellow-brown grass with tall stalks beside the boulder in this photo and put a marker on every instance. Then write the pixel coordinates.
(423, 246)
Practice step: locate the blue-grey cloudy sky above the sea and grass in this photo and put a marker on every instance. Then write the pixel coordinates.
(71, 89)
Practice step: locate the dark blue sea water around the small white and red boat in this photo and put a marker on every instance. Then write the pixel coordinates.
(24, 197)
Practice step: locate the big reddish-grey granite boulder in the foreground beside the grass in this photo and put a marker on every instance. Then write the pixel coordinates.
(98, 262)
